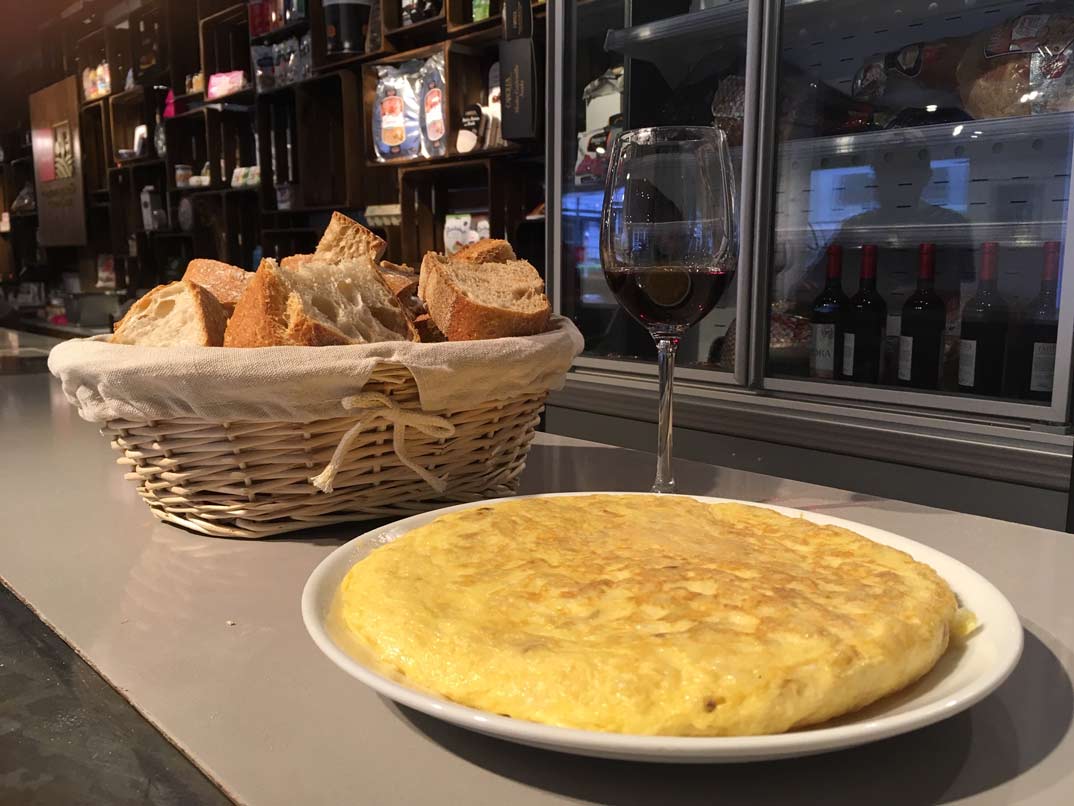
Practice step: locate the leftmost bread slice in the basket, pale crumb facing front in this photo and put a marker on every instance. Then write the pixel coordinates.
(181, 314)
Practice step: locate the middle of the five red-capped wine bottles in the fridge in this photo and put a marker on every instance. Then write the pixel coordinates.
(921, 337)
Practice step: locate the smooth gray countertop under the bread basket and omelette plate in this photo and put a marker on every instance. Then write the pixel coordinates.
(264, 714)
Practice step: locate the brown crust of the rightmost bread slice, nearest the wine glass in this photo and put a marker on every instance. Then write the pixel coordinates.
(461, 319)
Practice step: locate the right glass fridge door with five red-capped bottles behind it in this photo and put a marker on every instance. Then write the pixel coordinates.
(921, 180)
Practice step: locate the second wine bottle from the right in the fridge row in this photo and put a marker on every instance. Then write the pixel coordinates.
(983, 339)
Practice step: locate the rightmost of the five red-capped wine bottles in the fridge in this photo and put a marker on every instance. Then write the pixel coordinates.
(1035, 357)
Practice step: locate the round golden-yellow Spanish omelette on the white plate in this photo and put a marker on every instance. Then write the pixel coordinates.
(649, 615)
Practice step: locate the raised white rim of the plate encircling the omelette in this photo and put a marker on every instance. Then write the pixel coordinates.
(658, 747)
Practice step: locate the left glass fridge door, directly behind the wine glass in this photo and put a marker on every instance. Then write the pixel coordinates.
(629, 65)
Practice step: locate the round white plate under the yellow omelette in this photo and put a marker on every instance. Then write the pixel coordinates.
(960, 680)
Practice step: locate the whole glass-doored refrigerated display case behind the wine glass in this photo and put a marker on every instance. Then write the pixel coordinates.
(932, 138)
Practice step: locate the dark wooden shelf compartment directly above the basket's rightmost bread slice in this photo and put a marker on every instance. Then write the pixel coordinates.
(502, 190)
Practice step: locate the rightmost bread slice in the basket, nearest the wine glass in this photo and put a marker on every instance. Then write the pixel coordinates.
(470, 301)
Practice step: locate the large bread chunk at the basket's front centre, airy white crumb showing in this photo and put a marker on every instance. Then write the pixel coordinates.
(322, 305)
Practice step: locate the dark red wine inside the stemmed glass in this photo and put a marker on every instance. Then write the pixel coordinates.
(669, 300)
